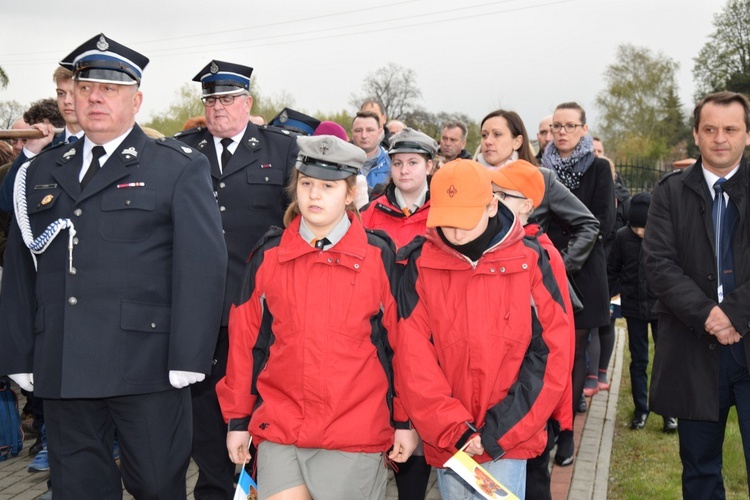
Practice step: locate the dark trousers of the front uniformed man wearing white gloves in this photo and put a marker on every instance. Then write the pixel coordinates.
(154, 431)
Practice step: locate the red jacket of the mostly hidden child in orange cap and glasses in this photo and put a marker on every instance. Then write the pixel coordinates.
(564, 411)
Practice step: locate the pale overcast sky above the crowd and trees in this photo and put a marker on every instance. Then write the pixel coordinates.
(469, 56)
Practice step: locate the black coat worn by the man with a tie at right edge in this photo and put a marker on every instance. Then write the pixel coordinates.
(681, 269)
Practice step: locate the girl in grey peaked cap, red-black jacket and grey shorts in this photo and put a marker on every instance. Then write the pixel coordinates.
(309, 373)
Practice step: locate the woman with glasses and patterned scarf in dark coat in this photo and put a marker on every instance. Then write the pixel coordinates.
(571, 156)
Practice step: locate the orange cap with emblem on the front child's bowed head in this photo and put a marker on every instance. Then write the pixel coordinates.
(459, 193)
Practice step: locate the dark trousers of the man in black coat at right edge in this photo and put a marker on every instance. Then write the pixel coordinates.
(701, 441)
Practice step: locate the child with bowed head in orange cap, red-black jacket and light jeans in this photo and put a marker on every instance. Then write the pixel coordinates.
(482, 348)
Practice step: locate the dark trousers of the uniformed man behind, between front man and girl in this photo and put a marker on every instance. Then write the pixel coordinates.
(215, 470)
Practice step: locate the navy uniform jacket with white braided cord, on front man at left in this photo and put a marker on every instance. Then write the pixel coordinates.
(144, 294)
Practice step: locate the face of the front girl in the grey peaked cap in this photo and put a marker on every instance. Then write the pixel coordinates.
(322, 203)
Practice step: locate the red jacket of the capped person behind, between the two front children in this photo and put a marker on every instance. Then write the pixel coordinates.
(384, 213)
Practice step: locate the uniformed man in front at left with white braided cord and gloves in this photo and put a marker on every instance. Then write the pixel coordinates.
(113, 287)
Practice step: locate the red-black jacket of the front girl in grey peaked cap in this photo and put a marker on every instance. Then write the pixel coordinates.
(309, 343)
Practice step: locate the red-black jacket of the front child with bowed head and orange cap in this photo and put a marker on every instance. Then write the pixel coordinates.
(484, 343)
